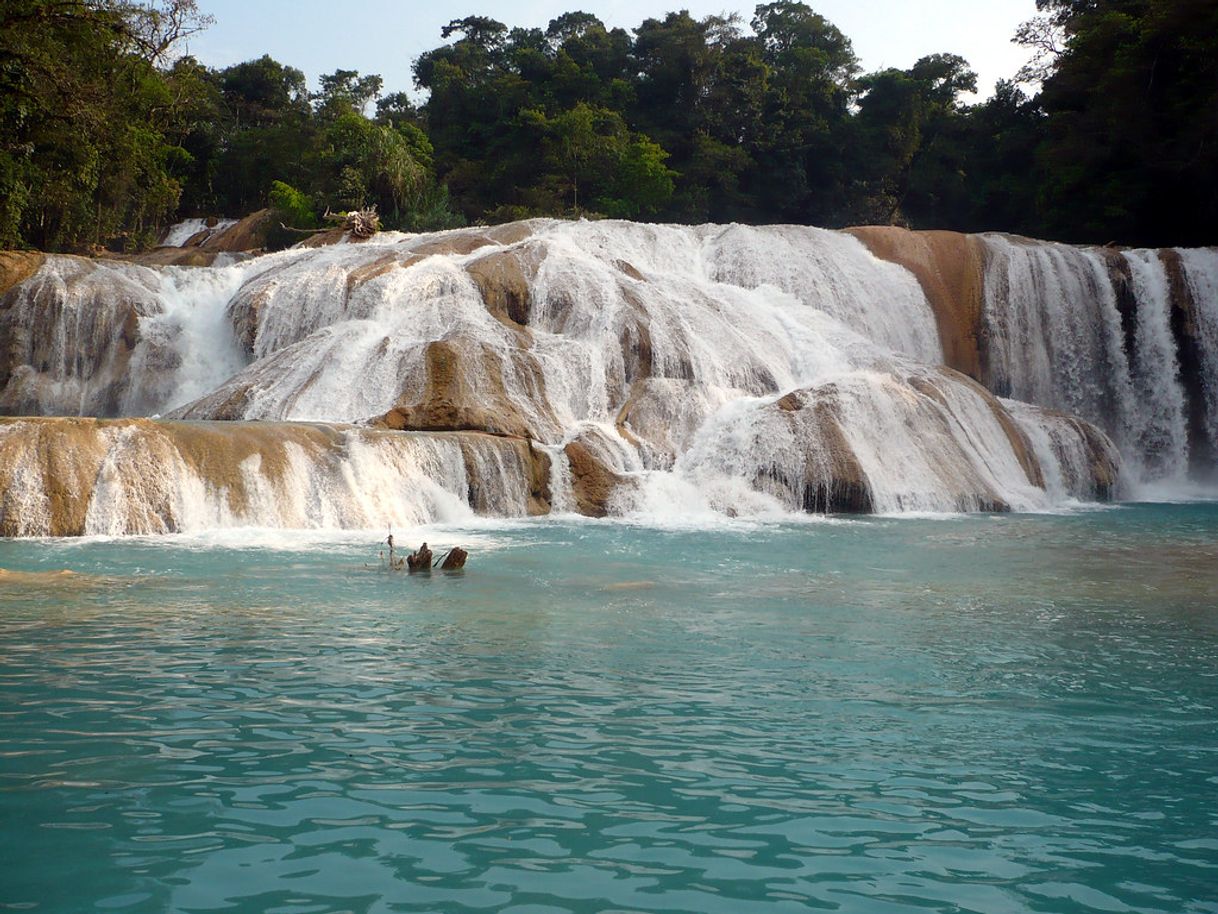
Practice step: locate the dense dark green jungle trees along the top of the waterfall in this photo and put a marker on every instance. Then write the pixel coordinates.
(108, 133)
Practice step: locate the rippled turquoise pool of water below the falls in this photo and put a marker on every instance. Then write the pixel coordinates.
(971, 715)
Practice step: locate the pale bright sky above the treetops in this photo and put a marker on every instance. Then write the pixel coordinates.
(387, 36)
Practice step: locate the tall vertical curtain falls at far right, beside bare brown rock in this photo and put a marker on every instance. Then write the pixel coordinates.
(1059, 336)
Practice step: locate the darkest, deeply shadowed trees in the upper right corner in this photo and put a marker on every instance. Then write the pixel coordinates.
(1131, 143)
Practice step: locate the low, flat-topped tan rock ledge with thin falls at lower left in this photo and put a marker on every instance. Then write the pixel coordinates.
(74, 477)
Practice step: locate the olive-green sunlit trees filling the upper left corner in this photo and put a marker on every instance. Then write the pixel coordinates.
(88, 124)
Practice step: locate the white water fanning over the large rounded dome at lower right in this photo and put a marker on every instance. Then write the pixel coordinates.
(884, 442)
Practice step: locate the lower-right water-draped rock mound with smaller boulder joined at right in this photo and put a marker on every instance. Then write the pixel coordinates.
(909, 441)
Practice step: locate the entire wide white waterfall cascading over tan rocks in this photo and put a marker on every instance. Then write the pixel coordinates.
(604, 367)
